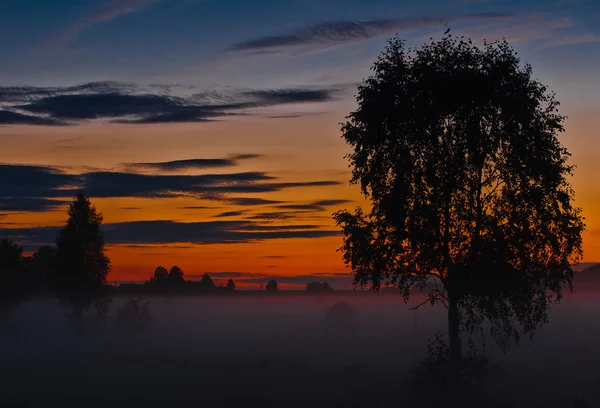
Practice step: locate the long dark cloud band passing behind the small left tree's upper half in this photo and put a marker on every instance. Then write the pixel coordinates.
(167, 232)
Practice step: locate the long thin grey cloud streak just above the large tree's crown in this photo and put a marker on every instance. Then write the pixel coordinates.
(349, 31)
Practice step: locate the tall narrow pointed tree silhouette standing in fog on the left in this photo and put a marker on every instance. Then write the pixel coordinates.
(82, 267)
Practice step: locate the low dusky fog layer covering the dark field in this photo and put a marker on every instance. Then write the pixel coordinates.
(278, 350)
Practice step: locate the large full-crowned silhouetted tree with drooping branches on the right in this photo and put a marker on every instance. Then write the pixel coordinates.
(456, 147)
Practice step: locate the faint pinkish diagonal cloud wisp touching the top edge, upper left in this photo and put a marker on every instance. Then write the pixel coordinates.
(107, 12)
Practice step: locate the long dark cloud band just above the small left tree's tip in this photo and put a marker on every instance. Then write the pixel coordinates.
(24, 181)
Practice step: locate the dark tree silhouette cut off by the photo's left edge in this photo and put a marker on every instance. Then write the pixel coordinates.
(12, 282)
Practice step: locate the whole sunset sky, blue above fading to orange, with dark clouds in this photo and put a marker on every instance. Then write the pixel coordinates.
(208, 132)
